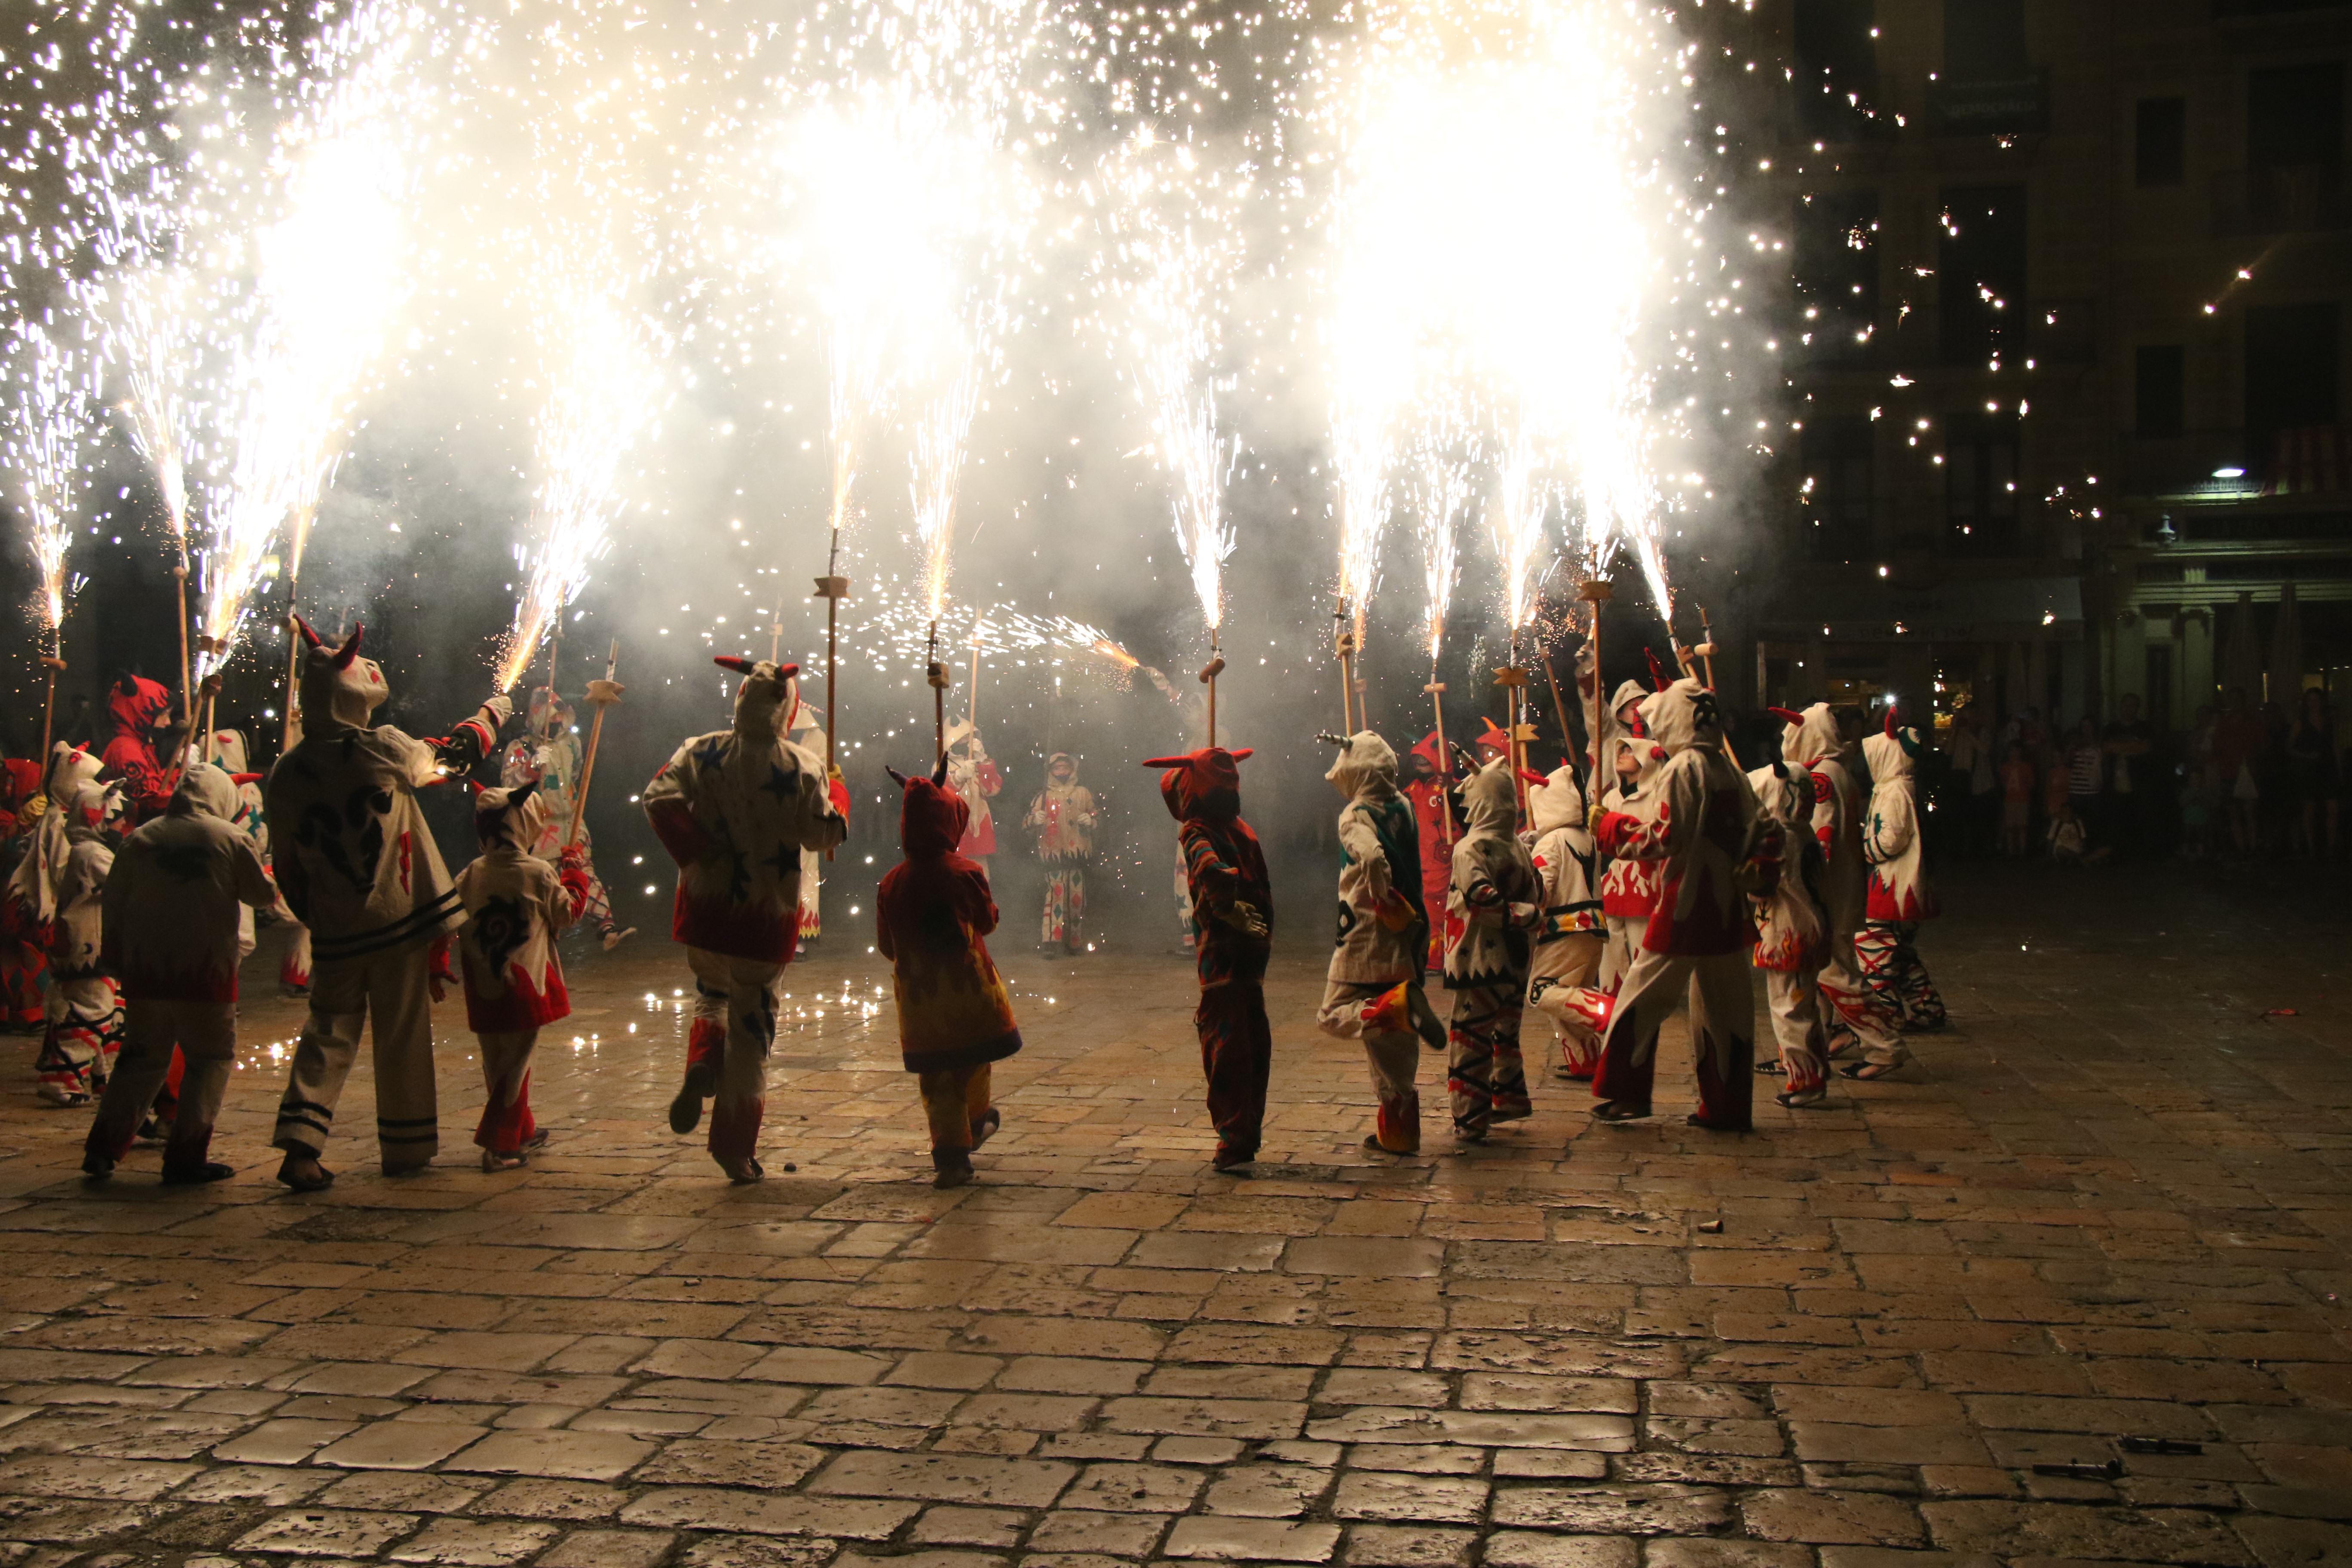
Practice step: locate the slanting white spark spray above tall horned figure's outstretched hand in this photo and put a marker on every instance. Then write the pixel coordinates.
(601, 396)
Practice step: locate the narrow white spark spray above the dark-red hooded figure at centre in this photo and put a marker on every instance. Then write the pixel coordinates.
(1170, 269)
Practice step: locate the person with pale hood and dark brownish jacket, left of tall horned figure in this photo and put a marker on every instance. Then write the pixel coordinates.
(175, 906)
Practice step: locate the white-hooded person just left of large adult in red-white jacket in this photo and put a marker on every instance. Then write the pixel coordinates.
(1565, 967)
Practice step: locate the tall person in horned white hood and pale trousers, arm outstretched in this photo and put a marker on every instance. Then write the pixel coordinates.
(359, 866)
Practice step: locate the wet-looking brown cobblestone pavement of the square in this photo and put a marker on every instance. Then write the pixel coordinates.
(2066, 1292)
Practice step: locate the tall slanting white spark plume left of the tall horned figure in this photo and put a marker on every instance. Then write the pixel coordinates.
(328, 286)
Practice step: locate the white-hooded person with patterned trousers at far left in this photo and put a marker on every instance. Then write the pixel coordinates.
(86, 1003)
